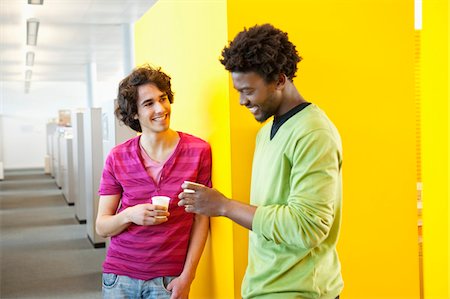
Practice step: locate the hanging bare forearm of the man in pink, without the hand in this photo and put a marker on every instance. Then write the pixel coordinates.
(199, 234)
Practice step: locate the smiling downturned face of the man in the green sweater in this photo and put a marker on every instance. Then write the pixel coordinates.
(261, 98)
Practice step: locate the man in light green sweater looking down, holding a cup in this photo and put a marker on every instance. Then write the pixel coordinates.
(294, 214)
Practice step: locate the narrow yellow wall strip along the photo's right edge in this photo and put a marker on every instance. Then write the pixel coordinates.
(435, 148)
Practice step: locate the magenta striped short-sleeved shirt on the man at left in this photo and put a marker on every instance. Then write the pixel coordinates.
(146, 252)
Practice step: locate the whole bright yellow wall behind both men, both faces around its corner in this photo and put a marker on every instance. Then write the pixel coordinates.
(358, 66)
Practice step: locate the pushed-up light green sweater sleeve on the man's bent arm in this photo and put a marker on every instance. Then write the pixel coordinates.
(306, 218)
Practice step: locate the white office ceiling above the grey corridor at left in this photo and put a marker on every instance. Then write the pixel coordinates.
(71, 35)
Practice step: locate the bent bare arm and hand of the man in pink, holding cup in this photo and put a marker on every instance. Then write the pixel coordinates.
(109, 223)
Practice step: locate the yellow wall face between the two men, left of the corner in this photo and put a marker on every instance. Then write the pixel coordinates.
(185, 38)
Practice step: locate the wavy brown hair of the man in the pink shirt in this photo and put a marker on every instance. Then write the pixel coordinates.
(127, 96)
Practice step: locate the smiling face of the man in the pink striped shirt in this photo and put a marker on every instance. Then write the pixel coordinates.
(153, 109)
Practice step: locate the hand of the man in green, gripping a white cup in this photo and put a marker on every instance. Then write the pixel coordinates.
(205, 201)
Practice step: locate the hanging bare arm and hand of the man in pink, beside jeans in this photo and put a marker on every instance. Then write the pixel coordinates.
(180, 286)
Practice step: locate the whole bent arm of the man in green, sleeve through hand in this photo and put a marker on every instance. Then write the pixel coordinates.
(306, 218)
